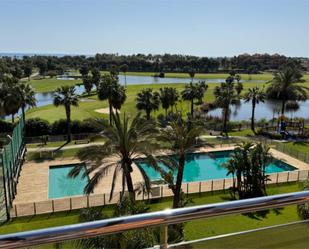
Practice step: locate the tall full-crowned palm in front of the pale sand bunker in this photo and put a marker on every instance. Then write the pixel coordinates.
(110, 90)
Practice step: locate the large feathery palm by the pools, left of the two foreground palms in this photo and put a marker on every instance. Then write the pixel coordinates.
(126, 140)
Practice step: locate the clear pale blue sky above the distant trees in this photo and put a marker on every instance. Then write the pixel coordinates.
(196, 27)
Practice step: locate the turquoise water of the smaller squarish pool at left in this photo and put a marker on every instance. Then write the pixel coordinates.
(60, 185)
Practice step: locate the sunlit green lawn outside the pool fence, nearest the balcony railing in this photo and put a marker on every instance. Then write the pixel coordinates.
(193, 230)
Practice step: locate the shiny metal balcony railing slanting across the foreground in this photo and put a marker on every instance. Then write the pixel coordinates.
(161, 218)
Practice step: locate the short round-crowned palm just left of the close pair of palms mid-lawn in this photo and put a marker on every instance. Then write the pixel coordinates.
(148, 100)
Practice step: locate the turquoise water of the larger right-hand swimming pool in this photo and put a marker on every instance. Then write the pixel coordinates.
(207, 166)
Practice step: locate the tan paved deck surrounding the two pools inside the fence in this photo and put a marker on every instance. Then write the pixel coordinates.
(33, 180)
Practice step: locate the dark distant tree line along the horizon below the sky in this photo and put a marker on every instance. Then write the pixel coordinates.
(56, 65)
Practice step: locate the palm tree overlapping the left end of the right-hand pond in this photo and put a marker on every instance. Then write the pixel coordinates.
(225, 96)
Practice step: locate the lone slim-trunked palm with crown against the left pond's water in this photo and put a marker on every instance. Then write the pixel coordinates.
(66, 96)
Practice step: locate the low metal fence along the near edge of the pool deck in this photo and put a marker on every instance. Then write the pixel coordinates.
(157, 192)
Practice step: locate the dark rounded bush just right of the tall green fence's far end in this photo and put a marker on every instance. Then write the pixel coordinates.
(37, 127)
